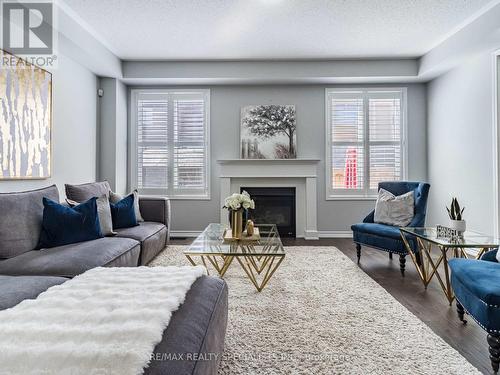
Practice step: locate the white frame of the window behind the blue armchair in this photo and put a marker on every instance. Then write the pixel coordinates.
(365, 193)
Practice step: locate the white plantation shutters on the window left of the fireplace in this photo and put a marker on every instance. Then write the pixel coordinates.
(171, 156)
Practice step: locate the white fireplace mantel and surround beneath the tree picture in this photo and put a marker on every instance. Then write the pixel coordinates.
(300, 173)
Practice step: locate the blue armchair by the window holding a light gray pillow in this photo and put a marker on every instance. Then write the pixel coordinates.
(386, 237)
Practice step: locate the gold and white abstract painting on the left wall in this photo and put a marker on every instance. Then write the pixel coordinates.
(25, 119)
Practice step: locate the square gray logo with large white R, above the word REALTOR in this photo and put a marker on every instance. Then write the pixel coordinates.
(27, 27)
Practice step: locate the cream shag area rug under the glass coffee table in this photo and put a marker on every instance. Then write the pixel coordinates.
(321, 314)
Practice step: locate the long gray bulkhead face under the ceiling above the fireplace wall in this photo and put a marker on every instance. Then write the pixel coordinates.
(269, 72)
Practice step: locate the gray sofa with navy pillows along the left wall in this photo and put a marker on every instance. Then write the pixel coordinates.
(21, 225)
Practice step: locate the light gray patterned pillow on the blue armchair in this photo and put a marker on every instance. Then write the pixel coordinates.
(394, 210)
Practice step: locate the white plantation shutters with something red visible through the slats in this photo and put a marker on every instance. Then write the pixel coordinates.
(364, 139)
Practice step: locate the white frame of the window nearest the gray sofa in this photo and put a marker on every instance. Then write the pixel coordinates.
(133, 145)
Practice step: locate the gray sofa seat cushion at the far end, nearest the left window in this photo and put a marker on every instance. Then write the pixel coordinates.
(152, 236)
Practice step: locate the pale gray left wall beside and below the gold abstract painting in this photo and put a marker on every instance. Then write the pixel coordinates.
(73, 130)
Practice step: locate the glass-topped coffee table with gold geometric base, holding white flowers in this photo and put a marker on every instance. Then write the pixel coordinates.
(259, 258)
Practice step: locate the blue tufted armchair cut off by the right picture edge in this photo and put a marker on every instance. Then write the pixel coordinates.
(476, 284)
